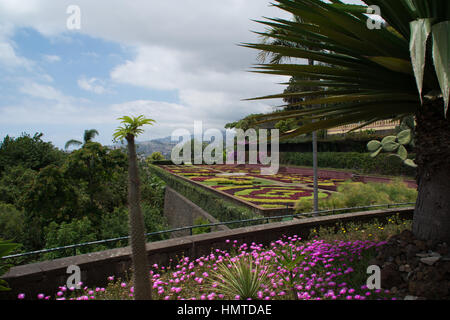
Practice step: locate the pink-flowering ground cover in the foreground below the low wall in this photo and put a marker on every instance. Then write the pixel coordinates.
(287, 269)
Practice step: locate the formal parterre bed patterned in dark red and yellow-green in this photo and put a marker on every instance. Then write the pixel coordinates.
(246, 183)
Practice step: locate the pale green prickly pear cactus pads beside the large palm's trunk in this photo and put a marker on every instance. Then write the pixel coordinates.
(394, 145)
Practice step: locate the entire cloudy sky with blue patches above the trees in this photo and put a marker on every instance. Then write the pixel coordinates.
(175, 61)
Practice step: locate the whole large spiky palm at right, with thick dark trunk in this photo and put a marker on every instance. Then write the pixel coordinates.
(399, 70)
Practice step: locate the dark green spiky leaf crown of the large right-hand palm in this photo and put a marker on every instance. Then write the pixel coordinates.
(368, 74)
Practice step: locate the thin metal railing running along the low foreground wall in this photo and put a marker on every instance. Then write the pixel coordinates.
(191, 228)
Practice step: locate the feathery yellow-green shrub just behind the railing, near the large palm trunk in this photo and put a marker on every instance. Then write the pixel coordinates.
(356, 194)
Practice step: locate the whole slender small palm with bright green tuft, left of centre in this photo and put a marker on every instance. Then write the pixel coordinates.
(131, 128)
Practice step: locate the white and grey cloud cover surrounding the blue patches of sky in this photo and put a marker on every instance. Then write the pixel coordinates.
(188, 46)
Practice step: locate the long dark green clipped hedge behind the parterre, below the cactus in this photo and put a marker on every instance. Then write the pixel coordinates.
(360, 163)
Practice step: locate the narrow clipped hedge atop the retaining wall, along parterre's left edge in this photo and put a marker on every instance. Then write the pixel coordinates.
(219, 208)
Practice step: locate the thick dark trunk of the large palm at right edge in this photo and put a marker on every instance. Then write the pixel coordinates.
(432, 213)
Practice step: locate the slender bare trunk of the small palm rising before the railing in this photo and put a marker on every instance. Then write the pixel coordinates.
(141, 277)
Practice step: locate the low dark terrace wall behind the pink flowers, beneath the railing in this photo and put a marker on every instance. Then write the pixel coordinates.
(45, 277)
